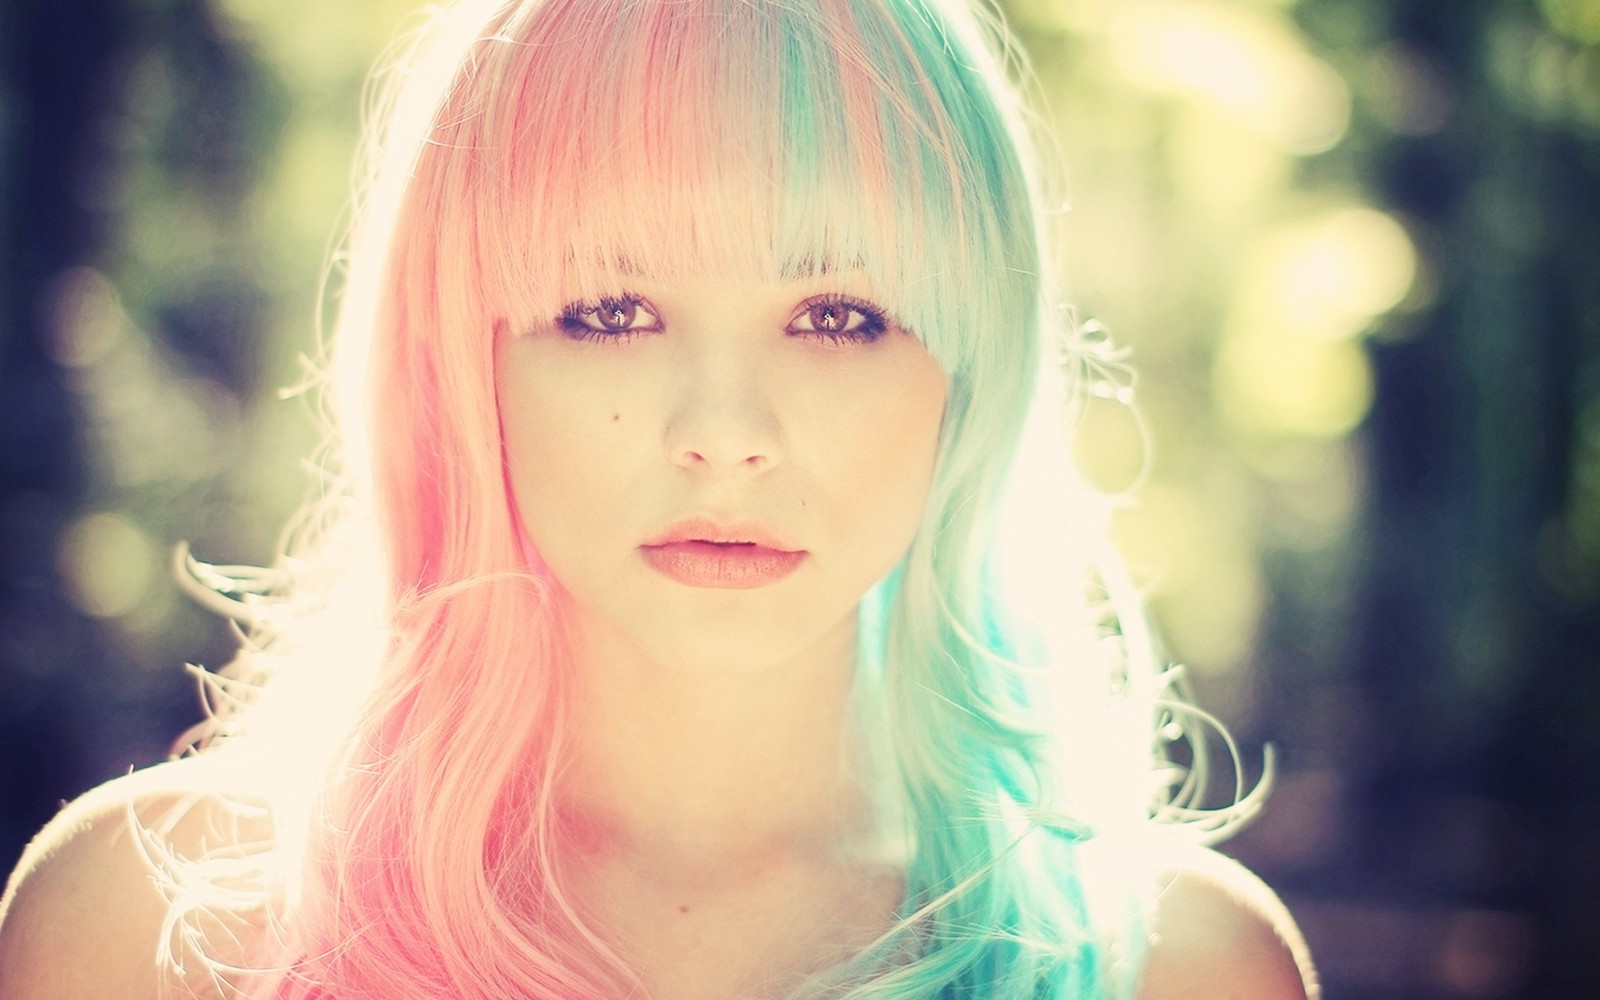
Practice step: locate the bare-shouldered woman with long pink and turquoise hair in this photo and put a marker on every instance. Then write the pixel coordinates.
(706, 609)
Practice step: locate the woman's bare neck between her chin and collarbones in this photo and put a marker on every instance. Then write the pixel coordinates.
(713, 767)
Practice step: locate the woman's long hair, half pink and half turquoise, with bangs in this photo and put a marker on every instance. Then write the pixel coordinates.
(530, 151)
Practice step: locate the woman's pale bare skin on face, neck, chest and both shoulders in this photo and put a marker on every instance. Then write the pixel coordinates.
(713, 774)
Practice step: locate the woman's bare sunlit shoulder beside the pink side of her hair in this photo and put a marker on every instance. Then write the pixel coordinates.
(84, 913)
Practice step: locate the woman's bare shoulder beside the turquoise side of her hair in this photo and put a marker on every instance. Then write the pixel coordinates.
(1220, 934)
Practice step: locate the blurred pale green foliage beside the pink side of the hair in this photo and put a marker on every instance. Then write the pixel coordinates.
(231, 135)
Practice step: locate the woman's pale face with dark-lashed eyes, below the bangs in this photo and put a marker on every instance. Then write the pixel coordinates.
(716, 473)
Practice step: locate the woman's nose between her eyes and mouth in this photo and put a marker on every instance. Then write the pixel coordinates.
(726, 418)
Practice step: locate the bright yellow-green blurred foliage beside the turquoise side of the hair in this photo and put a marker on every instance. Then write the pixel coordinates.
(1244, 286)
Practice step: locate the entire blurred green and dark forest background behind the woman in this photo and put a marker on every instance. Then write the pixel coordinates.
(1353, 246)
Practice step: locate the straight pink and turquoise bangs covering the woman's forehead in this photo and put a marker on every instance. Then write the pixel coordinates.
(751, 142)
